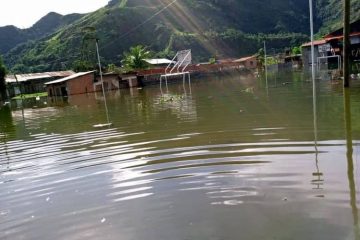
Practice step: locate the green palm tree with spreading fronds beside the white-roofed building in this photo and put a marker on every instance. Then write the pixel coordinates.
(135, 58)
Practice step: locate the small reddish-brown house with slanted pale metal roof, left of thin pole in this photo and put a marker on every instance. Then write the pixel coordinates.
(78, 83)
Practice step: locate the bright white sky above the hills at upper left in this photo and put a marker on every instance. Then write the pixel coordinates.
(24, 13)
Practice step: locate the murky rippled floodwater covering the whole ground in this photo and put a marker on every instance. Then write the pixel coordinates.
(227, 157)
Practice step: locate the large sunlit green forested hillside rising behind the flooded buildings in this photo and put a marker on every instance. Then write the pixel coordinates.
(220, 28)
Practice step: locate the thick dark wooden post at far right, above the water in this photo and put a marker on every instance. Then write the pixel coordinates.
(346, 52)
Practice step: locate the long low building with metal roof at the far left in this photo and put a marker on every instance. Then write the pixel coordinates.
(32, 82)
